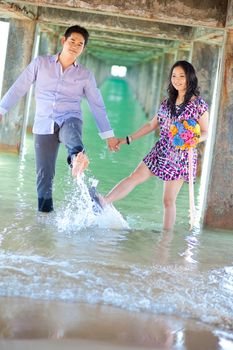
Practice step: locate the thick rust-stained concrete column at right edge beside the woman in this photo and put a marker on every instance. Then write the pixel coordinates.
(219, 202)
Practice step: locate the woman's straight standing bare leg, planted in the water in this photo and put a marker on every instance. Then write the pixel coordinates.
(171, 190)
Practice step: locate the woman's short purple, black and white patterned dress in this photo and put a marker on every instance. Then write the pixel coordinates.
(165, 160)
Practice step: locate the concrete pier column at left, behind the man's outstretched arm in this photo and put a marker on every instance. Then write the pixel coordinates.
(18, 56)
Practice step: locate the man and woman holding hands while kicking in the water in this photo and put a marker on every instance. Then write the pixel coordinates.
(60, 85)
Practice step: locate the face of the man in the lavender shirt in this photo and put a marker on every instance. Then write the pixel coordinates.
(73, 46)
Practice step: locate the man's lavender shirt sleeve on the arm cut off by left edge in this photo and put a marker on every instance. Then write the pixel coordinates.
(20, 87)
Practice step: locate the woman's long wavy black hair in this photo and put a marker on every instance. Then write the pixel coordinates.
(192, 85)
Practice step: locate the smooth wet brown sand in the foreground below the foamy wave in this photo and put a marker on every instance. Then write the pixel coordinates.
(32, 324)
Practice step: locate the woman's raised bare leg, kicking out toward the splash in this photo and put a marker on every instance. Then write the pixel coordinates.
(140, 174)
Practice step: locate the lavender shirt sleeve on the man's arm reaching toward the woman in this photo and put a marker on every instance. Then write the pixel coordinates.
(96, 104)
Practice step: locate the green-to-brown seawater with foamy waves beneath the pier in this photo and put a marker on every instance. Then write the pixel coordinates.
(180, 283)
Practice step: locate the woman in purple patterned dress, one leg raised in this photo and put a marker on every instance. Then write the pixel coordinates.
(165, 160)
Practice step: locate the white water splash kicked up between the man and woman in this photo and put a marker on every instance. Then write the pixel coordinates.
(78, 213)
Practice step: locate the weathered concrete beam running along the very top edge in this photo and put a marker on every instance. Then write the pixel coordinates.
(209, 13)
